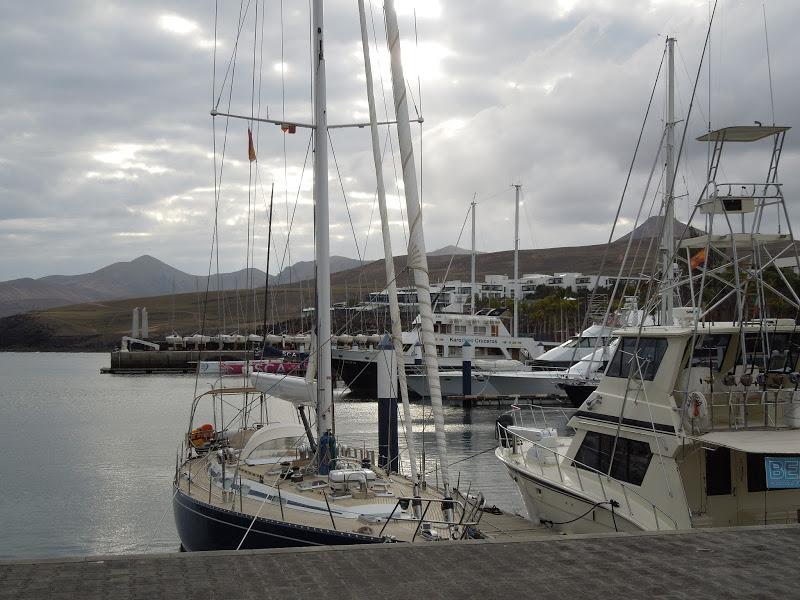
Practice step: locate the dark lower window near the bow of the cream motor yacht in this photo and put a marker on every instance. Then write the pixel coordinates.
(631, 457)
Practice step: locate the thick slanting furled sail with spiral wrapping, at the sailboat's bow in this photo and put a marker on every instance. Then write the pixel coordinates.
(417, 260)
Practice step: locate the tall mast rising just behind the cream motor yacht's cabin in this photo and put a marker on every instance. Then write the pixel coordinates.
(668, 238)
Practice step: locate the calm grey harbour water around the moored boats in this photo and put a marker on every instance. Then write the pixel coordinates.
(88, 458)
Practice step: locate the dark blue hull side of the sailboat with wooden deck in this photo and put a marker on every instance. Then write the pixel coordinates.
(202, 526)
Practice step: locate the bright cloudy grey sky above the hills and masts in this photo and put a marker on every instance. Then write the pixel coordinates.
(107, 143)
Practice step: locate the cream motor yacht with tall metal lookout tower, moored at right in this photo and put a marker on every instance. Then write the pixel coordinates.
(696, 421)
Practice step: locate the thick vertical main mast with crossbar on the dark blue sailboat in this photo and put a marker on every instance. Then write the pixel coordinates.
(321, 228)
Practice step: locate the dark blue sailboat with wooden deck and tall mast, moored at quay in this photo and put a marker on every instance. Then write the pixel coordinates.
(267, 469)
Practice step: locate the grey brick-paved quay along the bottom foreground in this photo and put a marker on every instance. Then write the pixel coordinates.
(732, 563)
